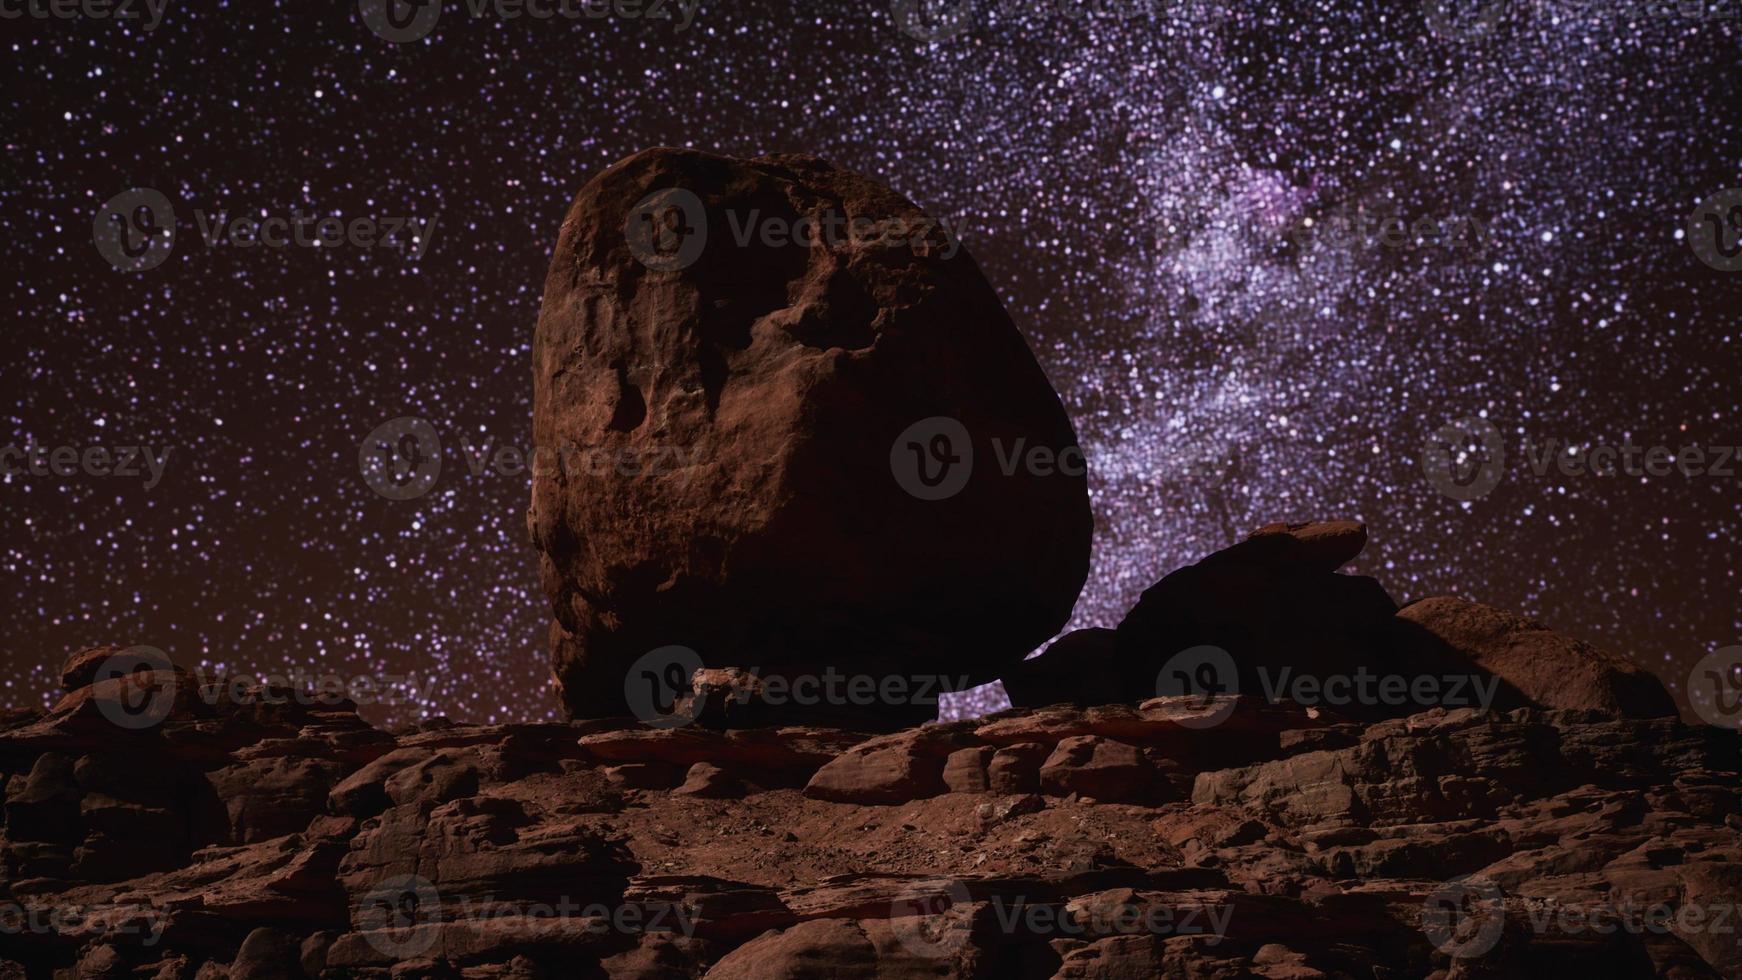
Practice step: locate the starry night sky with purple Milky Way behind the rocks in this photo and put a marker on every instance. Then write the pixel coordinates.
(1126, 182)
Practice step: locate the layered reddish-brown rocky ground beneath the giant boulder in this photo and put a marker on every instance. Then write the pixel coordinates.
(1182, 836)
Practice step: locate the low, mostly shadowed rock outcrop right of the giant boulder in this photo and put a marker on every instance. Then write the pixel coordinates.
(1281, 622)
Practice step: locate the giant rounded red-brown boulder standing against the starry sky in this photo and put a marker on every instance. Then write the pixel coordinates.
(825, 455)
